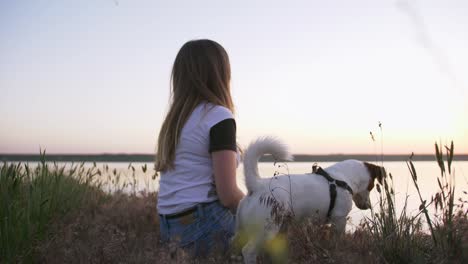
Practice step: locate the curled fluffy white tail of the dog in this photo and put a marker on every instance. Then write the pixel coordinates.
(256, 149)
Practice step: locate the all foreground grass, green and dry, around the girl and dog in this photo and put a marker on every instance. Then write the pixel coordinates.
(57, 214)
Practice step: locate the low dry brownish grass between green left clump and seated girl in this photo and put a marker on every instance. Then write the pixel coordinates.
(118, 228)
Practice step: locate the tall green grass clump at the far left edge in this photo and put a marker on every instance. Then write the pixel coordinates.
(31, 197)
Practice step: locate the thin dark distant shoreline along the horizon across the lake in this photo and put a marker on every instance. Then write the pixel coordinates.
(150, 157)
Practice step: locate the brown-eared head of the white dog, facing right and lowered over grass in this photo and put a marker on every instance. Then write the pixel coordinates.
(361, 199)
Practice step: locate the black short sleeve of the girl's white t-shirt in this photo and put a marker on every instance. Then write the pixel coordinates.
(223, 136)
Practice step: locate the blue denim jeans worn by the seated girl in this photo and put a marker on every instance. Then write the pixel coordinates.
(210, 226)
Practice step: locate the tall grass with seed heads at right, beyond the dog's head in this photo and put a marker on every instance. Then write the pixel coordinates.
(400, 238)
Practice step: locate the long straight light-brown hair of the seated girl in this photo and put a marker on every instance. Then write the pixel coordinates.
(201, 73)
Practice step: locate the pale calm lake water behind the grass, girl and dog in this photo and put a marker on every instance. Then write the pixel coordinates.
(135, 180)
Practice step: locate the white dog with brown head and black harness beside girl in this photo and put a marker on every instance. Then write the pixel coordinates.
(262, 211)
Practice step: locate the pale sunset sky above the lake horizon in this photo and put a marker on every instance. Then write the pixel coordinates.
(93, 76)
